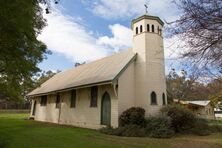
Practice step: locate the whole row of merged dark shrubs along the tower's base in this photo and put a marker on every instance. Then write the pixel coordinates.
(175, 119)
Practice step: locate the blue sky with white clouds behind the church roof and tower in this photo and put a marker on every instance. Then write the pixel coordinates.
(84, 30)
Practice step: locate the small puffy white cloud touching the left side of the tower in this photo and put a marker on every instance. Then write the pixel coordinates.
(121, 39)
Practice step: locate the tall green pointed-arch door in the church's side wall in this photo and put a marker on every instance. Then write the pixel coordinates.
(106, 109)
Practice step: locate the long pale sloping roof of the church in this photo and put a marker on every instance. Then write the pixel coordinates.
(104, 70)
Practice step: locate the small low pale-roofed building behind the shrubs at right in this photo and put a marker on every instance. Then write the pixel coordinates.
(202, 108)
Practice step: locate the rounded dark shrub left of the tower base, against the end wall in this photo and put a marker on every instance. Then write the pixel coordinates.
(133, 115)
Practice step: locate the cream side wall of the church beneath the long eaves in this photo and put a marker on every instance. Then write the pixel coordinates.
(82, 115)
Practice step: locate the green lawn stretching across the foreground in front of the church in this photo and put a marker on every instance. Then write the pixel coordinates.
(17, 132)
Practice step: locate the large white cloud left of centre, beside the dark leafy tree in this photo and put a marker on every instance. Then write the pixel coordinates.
(66, 35)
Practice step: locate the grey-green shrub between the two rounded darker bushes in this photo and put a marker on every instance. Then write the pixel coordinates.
(159, 127)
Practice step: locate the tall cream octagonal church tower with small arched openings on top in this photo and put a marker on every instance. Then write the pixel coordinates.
(150, 83)
